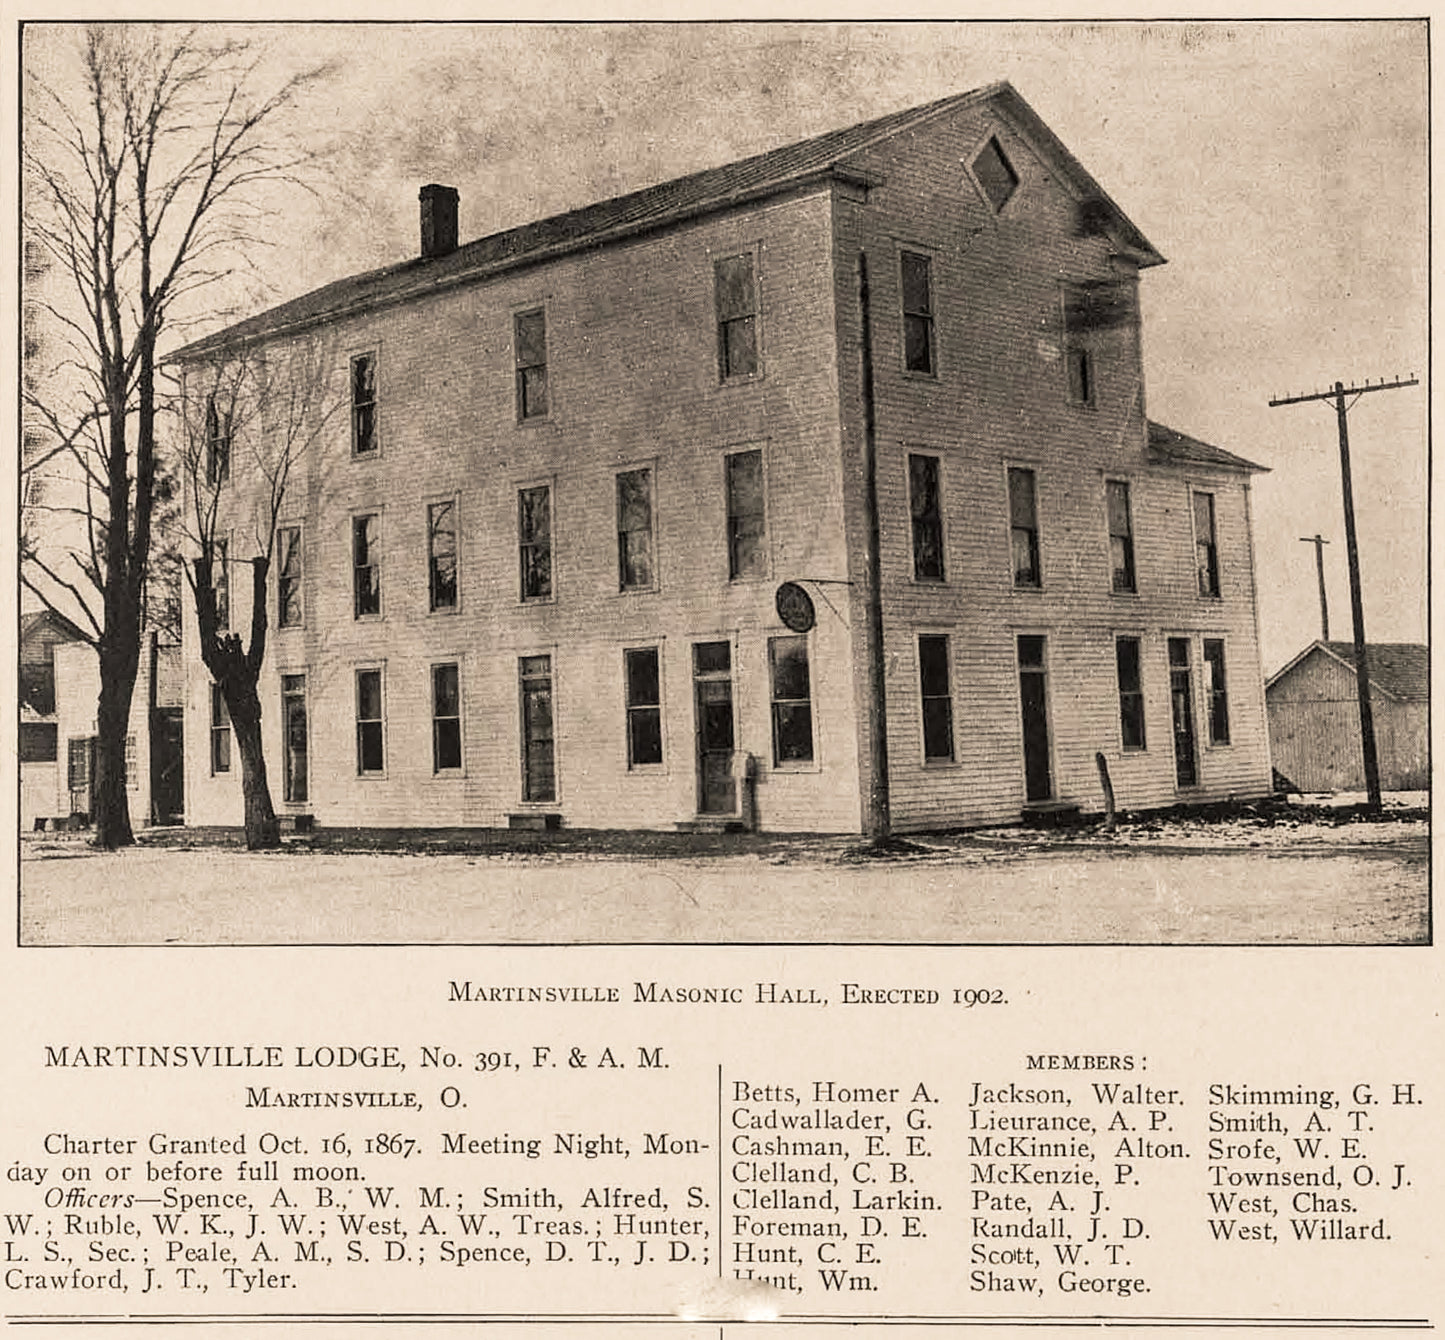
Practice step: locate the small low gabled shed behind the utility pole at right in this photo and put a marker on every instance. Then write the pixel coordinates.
(1314, 718)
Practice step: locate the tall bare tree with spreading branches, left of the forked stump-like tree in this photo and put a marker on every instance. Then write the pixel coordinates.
(144, 186)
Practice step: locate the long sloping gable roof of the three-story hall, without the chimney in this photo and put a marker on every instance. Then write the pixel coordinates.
(639, 212)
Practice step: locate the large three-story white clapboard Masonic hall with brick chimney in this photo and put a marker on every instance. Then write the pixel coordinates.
(593, 544)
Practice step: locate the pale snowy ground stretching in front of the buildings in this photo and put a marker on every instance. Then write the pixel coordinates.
(1304, 874)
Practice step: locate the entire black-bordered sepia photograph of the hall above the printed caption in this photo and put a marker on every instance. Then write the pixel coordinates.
(761, 484)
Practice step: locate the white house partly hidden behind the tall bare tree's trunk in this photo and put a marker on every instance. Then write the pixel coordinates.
(61, 671)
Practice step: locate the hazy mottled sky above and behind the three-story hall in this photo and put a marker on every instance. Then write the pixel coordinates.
(1282, 170)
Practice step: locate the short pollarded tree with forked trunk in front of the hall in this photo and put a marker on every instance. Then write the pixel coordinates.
(249, 426)
